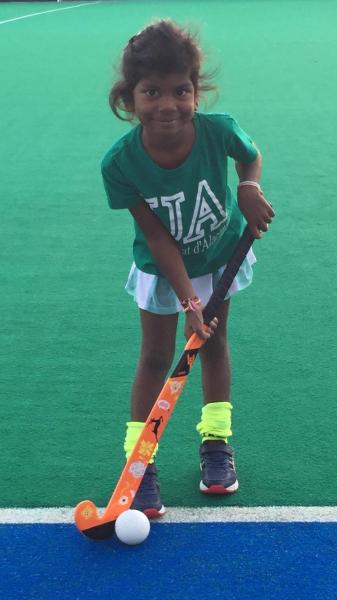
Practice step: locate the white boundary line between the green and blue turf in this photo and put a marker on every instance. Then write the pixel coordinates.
(258, 514)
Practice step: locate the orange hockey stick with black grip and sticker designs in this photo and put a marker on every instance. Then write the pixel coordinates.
(87, 519)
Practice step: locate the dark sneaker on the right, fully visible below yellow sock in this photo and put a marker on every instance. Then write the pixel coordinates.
(217, 468)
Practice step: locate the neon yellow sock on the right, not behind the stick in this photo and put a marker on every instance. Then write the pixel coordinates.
(216, 421)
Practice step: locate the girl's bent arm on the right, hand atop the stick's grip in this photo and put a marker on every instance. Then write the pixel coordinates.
(252, 203)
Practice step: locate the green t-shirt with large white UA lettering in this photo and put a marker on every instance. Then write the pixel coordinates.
(193, 201)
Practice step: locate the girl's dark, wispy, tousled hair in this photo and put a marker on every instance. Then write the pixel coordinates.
(162, 47)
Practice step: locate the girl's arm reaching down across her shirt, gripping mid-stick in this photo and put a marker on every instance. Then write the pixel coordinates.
(168, 258)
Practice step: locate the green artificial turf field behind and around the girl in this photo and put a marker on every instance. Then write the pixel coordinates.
(70, 333)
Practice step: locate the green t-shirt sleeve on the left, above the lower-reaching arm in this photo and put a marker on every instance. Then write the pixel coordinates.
(119, 190)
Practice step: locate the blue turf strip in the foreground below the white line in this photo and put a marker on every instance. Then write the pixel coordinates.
(178, 562)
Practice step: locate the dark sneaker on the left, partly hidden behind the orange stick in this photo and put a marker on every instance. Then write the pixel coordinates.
(147, 498)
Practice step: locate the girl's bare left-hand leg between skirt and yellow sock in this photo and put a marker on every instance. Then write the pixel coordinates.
(157, 352)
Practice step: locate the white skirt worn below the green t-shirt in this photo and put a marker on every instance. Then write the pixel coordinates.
(155, 294)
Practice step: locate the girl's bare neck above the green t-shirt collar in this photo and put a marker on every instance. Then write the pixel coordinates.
(169, 152)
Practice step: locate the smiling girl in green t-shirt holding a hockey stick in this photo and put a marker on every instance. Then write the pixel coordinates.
(170, 172)
